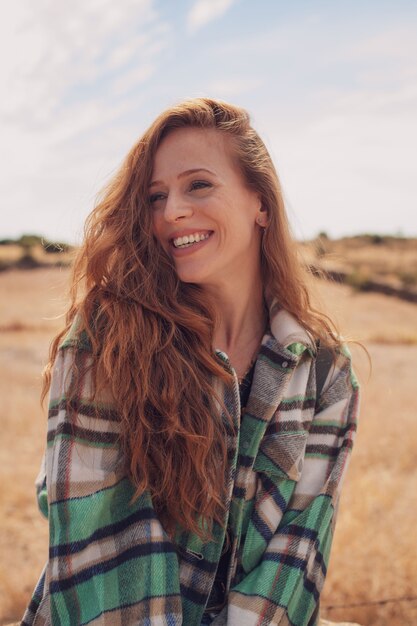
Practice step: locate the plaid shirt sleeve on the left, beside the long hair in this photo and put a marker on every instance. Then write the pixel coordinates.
(110, 560)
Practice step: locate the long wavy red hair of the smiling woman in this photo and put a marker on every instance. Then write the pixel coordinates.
(151, 334)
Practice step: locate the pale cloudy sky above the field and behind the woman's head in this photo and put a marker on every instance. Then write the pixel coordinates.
(331, 87)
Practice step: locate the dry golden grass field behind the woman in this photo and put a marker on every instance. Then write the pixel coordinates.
(373, 558)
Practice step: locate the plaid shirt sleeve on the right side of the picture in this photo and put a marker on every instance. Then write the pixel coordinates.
(284, 588)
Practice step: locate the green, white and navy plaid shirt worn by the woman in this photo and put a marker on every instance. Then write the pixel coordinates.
(110, 560)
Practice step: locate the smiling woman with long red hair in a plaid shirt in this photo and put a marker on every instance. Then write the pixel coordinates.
(196, 440)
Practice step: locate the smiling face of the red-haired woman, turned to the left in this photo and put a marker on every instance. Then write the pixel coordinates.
(204, 215)
